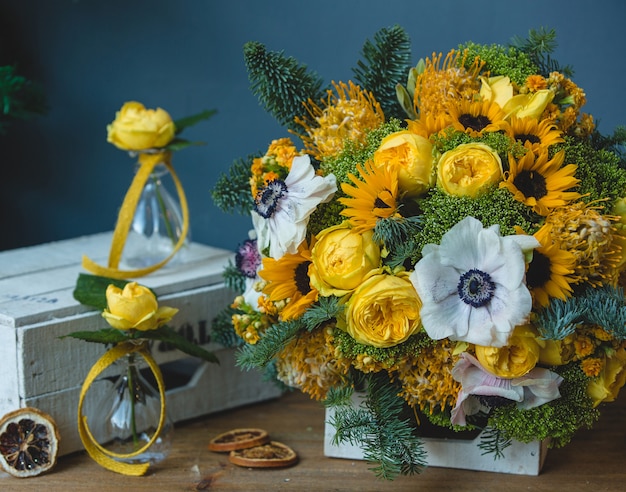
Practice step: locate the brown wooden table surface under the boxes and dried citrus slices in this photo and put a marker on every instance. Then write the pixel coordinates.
(594, 461)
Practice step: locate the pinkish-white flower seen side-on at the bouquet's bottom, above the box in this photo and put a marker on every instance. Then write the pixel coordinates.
(479, 388)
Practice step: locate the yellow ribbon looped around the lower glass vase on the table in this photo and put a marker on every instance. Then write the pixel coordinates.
(105, 458)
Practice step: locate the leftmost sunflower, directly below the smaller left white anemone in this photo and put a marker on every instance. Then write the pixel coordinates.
(288, 280)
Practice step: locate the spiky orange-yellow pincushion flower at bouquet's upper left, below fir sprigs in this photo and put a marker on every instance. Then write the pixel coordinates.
(348, 115)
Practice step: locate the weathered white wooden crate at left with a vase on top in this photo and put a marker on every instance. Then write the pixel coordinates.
(37, 307)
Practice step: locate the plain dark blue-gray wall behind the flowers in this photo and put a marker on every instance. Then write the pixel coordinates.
(61, 179)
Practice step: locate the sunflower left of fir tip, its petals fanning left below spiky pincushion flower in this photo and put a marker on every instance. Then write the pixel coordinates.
(371, 199)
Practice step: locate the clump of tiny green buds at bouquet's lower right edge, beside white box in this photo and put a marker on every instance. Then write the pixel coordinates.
(558, 420)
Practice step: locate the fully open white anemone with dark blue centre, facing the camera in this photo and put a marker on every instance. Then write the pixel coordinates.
(472, 285)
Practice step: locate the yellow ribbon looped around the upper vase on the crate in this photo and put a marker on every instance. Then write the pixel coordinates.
(147, 163)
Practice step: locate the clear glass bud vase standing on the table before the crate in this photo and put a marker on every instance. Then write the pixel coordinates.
(128, 415)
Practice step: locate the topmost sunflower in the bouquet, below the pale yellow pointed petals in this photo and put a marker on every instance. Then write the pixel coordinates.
(476, 117)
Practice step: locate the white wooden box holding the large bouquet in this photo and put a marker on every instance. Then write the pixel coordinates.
(519, 458)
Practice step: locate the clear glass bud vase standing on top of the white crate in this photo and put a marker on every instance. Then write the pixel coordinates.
(156, 226)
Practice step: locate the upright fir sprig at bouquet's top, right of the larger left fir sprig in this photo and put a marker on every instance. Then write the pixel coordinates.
(385, 64)
